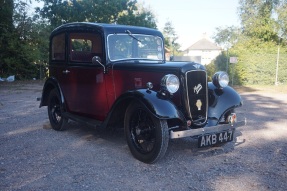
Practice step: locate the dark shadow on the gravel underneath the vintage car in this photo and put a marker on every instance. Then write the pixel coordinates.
(116, 137)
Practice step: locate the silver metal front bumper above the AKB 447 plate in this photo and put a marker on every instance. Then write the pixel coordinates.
(205, 130)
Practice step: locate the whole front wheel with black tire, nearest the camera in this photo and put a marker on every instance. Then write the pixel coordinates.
(147, 136)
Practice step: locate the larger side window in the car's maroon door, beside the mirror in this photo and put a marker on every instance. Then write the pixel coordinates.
(84, 46)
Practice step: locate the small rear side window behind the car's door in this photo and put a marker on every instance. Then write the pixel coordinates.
(58, 47)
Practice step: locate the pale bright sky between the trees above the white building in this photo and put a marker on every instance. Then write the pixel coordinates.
(192, 18)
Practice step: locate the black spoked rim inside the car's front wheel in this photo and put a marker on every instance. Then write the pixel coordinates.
(142, 131)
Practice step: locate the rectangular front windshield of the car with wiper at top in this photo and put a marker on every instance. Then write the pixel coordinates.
(135, 46)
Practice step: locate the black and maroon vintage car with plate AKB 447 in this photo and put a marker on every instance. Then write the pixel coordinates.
(117, 76)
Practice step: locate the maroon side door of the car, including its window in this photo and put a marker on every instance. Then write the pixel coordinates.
(84, 82)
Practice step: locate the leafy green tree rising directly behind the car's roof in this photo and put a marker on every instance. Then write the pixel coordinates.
(58, 12)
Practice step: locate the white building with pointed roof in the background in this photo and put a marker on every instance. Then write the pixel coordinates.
(204, 48)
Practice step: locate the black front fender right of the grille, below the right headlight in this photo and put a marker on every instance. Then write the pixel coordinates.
(221, 100)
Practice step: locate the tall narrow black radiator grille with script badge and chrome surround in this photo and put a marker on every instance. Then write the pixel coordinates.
(196, 85)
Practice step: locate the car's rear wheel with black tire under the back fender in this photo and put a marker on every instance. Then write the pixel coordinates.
(55, 113)
